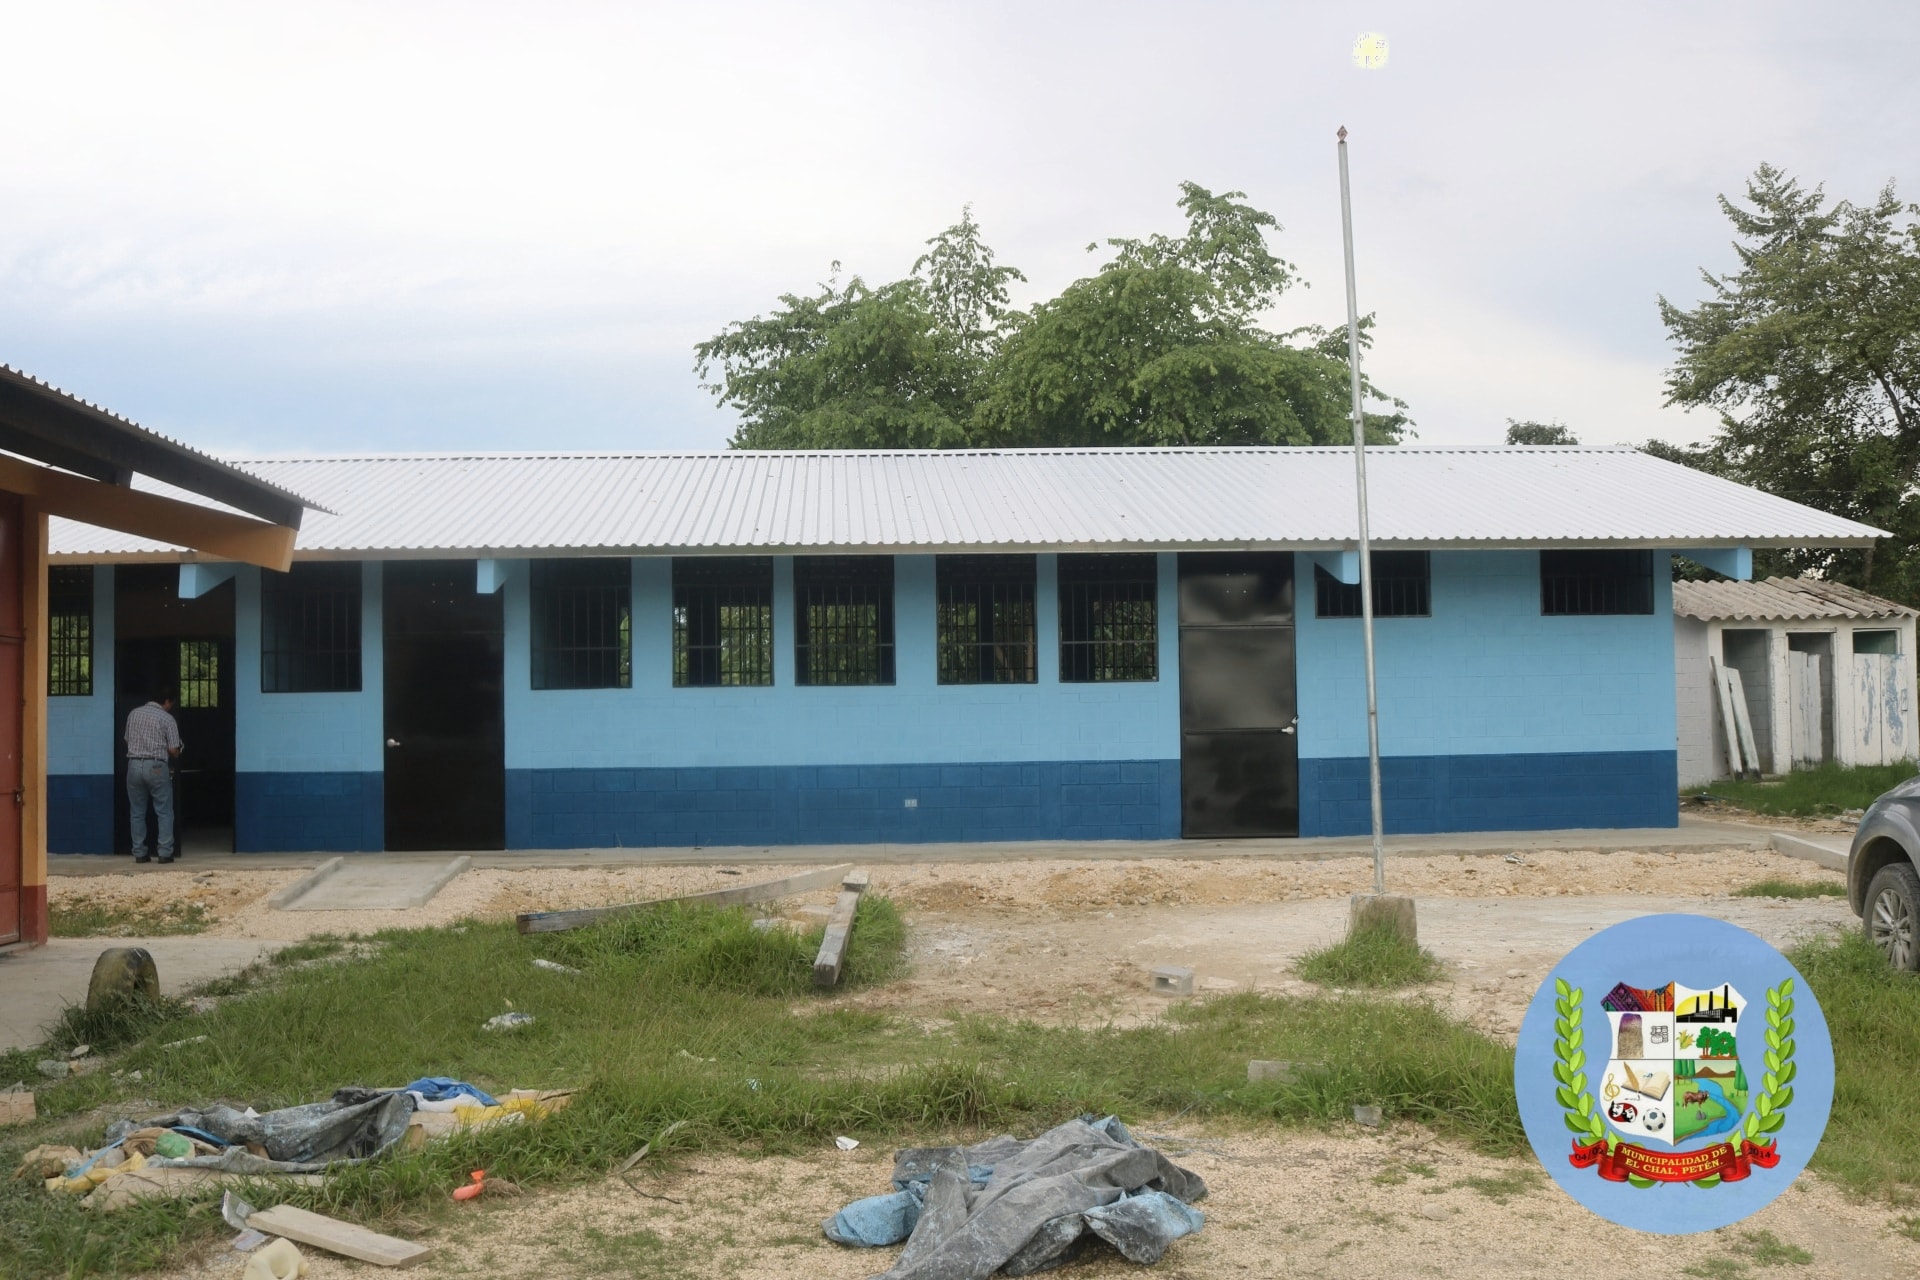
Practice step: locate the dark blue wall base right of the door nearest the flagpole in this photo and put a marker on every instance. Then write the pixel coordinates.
(1493, 794)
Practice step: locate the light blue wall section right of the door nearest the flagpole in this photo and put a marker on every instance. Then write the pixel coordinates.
(1487, 675)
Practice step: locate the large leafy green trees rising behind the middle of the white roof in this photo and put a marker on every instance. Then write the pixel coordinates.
(1161, 346)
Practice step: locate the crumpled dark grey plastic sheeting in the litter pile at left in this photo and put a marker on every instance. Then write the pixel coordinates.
(354, 1126)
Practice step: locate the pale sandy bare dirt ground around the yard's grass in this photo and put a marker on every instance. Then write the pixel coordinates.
(1074, 941)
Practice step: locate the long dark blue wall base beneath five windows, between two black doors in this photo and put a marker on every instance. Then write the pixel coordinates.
(844, 805)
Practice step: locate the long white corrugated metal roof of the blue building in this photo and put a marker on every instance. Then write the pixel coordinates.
(542, 504)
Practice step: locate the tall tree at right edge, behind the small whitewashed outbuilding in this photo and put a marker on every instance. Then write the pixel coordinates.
(1810, 352)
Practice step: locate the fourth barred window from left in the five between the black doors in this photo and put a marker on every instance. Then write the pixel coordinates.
(984, 619)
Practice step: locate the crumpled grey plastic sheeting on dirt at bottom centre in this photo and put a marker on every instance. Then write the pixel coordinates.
(1024, 1206)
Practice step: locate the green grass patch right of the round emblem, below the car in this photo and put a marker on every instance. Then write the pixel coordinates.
(1875, 1020)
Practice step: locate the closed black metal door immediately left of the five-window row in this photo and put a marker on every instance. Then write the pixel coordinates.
(446, 744)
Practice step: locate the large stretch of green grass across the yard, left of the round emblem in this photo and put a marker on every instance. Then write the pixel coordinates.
(788, 1070)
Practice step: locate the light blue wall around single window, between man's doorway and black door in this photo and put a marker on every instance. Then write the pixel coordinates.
(306, 732)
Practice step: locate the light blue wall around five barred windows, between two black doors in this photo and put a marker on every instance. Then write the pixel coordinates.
(913, 723)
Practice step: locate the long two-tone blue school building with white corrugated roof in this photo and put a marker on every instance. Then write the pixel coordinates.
(592, 652)
